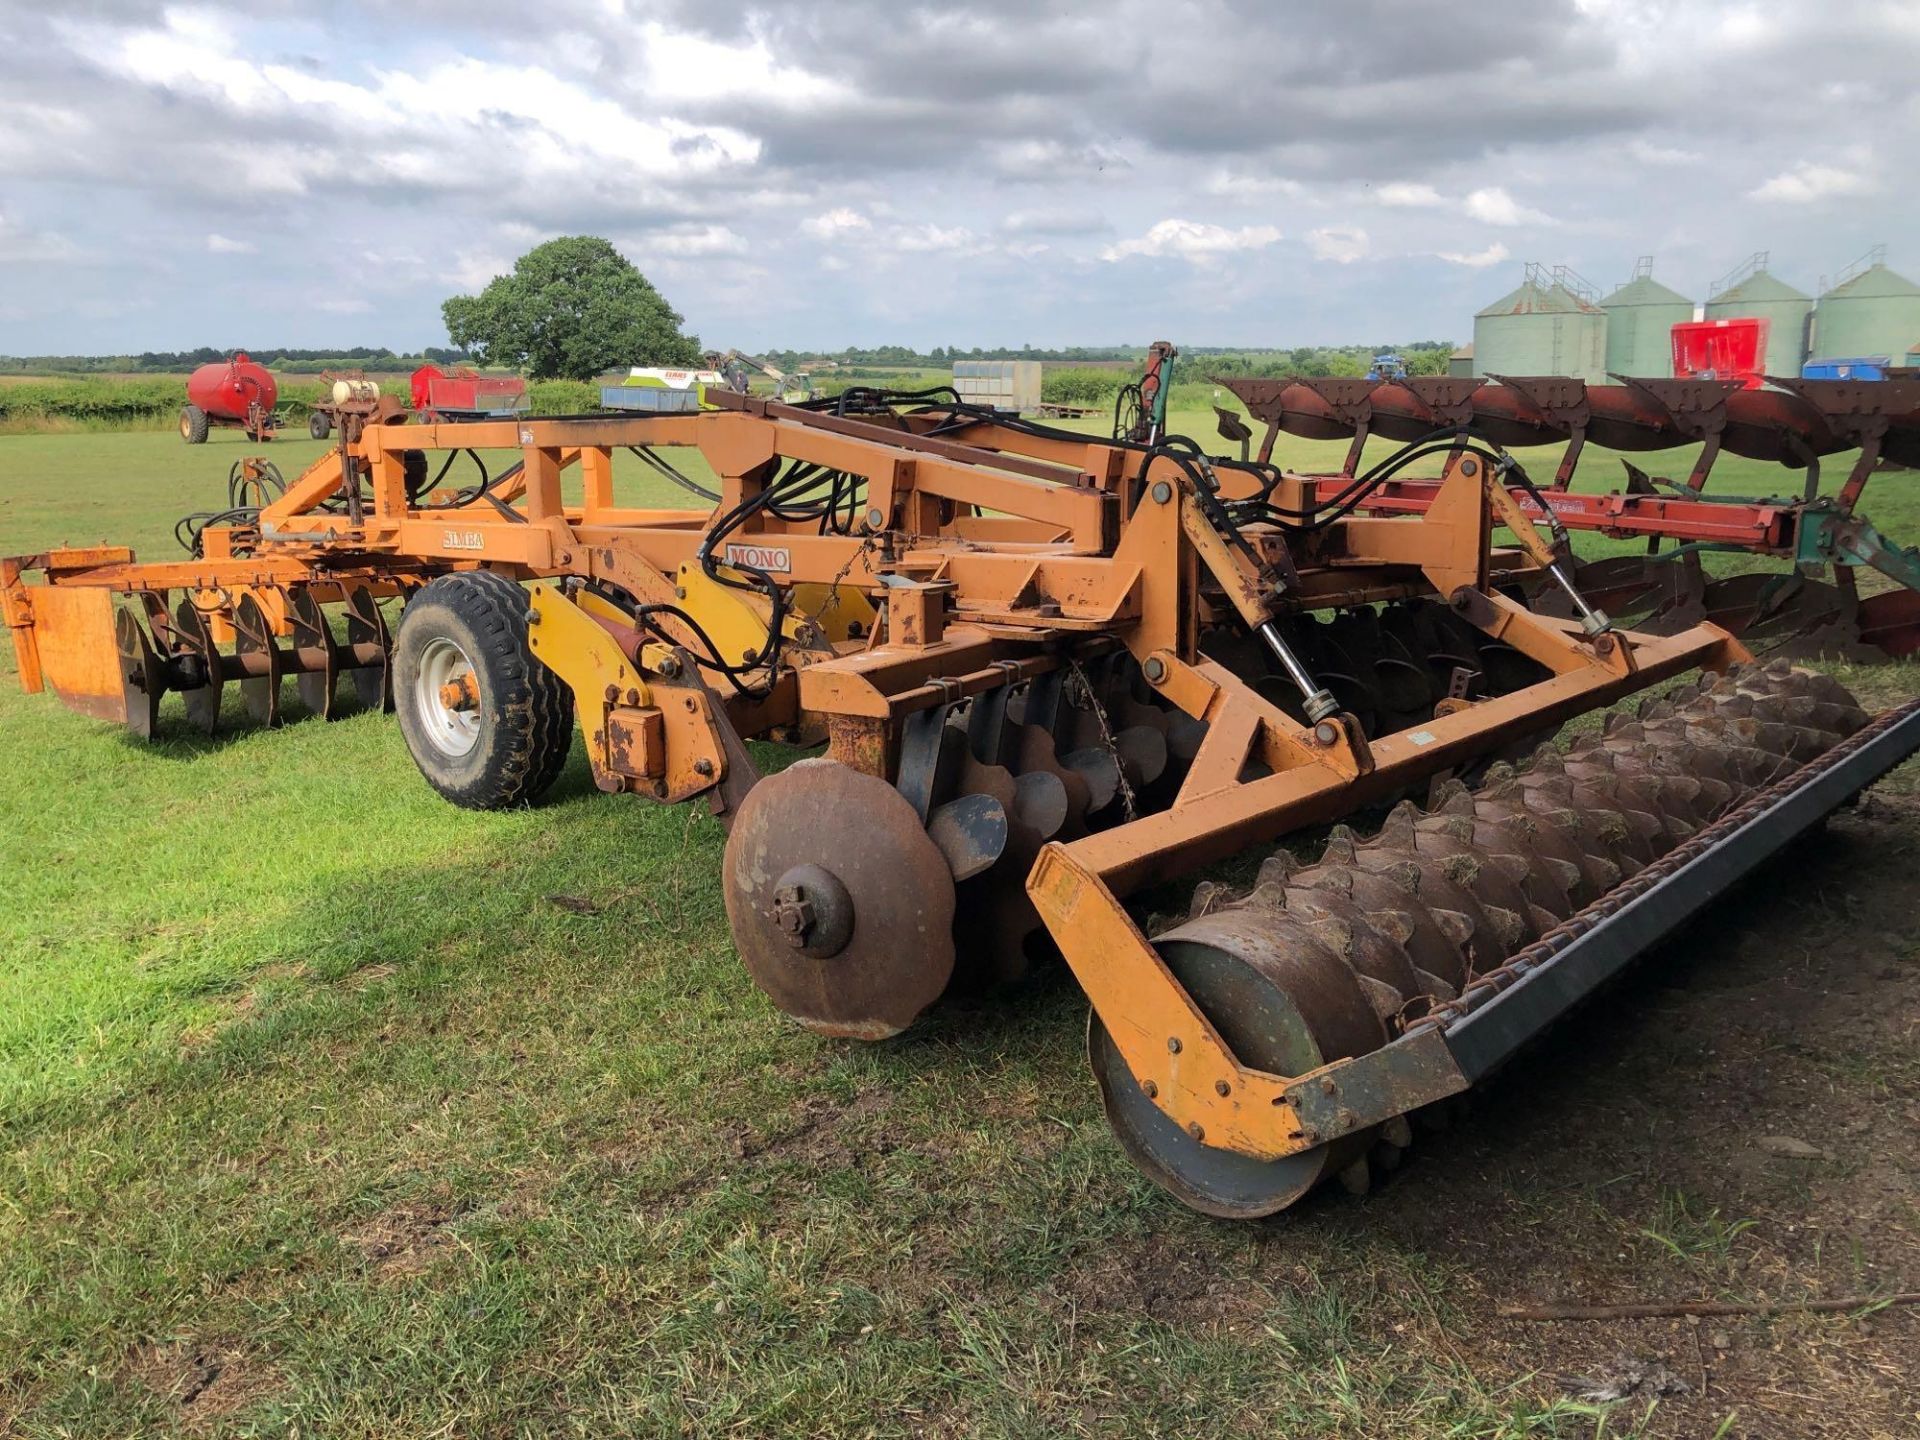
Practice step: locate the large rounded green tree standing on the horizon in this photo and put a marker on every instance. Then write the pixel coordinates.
(571, 310)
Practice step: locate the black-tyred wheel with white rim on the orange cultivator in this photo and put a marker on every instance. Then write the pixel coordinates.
(487, 723)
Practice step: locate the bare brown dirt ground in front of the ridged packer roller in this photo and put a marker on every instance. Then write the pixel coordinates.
(1735, 1122)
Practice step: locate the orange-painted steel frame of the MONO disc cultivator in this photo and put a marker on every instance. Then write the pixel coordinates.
(996, 554)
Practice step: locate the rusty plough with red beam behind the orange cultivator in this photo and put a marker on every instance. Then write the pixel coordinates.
(1810, 608)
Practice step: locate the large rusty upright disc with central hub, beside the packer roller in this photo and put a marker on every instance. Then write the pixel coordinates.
(840, 903)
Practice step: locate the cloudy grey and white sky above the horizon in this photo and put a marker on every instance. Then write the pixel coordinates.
(996, 172)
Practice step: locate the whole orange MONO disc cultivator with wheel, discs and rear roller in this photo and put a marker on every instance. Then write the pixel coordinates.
(1036, 675)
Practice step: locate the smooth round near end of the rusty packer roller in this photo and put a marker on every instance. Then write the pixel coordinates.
(1280, 1009)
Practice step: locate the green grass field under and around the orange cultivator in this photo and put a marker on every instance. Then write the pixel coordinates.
(333, 1111)
